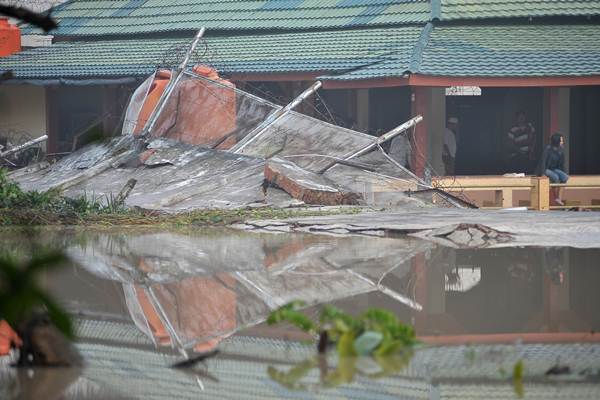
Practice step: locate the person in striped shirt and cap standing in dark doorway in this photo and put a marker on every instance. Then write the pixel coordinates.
(521, 139)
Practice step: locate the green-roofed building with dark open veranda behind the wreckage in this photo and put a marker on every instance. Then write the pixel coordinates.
(381, 62)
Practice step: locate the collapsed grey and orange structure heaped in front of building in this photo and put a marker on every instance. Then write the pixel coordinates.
(191, 140)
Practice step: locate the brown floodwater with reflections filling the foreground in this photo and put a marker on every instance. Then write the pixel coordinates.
(145, 299)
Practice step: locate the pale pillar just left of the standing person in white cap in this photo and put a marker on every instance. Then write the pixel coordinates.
(437, 125)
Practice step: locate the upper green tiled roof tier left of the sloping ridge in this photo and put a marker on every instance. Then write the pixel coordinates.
(123, 17)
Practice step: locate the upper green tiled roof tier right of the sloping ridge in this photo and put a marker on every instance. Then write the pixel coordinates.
(478, 9)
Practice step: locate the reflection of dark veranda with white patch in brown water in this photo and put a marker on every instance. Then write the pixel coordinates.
(525, 292)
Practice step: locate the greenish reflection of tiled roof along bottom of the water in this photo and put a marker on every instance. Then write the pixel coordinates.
(454, 372)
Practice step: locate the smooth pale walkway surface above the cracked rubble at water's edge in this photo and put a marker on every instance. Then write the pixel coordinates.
(529, 228)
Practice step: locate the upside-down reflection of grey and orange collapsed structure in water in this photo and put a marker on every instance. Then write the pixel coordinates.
(190, 292)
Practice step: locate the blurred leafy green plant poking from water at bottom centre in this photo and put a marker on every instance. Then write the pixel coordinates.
(375, 344)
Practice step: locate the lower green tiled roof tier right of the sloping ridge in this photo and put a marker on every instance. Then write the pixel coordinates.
(512, 50)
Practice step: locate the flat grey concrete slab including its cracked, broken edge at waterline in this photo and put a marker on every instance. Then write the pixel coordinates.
(453, 227)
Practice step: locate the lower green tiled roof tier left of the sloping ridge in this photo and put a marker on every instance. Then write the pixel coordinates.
(331, 52)
